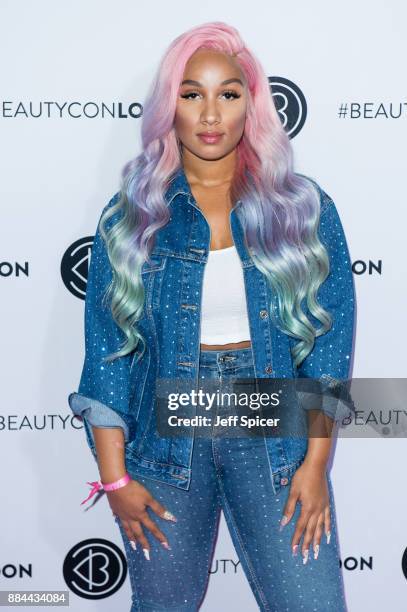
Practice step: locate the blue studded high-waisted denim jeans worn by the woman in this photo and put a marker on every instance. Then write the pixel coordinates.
(231, 474)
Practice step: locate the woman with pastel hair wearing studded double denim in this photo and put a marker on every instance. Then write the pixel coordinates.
(219, 262)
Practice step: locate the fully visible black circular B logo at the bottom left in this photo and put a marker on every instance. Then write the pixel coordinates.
(95, 568)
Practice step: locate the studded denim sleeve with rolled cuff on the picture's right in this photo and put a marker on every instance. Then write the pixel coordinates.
(329, 362)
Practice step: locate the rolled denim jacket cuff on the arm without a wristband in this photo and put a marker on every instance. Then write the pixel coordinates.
(329, 395)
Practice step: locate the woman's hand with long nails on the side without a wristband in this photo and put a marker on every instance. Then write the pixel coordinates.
(310, 488)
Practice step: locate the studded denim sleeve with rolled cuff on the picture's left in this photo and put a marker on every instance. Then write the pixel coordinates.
(102, 399)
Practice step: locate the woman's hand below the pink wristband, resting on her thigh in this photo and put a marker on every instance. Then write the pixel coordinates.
(129, 504)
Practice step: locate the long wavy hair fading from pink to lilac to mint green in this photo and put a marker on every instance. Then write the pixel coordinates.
(279, 211)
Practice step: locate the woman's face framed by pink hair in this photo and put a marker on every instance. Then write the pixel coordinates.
(212, 99)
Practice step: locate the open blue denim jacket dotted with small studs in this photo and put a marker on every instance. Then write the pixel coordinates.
(121, 393)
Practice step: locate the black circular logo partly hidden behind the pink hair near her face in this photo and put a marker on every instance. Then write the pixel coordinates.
(290, 104)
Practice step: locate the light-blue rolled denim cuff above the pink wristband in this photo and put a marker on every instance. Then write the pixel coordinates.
(96, 414)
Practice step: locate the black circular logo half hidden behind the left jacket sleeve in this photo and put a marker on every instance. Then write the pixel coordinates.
(75, 265)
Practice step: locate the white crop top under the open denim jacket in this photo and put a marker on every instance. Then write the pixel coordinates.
(224, 315)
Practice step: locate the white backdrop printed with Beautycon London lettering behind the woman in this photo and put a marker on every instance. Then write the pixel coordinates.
(58, 171)
